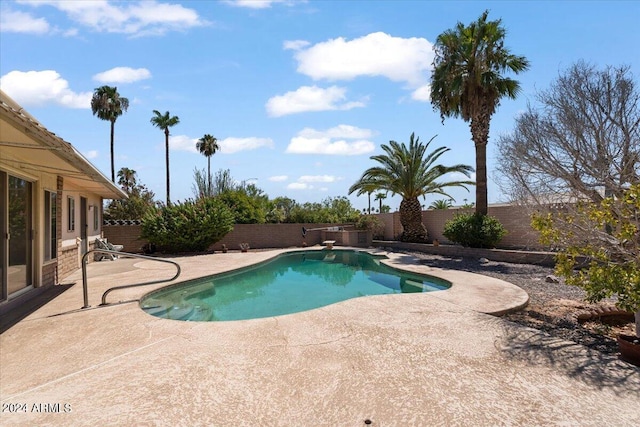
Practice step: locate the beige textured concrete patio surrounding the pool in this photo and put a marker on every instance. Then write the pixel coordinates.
(388, 360)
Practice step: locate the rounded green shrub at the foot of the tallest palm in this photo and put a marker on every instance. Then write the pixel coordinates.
(474, 230)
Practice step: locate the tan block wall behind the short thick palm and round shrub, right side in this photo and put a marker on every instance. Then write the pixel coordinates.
(515, 219)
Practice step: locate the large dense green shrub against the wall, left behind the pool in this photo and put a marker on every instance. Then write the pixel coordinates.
(187, 227)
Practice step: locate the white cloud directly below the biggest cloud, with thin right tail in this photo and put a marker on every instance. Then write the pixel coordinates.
(310, 98)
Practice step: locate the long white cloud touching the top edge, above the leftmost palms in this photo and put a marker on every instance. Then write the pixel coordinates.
(137, 19)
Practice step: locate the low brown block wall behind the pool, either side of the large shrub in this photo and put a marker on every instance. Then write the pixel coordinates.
(258, 236)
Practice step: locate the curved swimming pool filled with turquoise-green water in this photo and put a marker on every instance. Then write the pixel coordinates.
(291, 282)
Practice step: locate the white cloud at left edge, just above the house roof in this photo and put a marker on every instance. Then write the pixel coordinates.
(38, 88)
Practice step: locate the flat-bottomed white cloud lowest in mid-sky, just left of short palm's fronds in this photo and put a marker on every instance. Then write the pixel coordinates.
(341, 140)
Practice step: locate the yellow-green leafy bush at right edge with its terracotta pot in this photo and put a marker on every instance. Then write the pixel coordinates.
(600, 252)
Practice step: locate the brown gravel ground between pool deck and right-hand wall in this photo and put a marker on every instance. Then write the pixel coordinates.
(552, 306)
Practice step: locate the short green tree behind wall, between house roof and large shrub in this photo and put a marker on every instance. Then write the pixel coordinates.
(140, 198)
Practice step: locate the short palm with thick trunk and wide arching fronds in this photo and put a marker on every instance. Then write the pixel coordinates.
(411, 173)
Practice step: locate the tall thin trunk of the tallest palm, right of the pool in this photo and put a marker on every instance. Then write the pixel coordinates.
(480, 135)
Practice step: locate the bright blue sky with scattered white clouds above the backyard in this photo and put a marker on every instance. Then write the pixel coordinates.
(299, 93)
